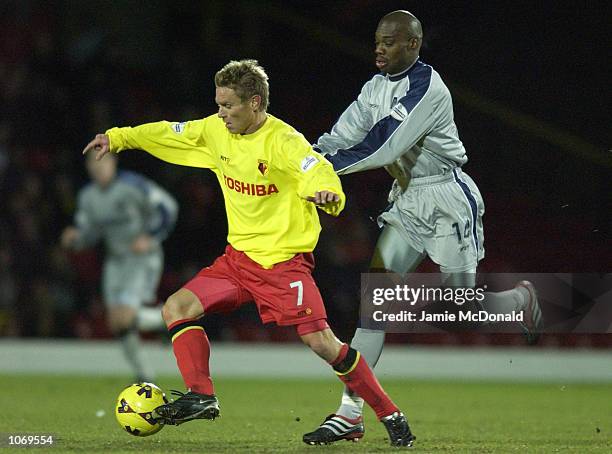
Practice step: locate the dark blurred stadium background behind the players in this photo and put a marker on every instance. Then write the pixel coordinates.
(531, 88)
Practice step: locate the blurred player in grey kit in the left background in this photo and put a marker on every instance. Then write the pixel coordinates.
(133, 215)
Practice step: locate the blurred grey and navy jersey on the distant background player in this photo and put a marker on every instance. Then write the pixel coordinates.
(130, 206)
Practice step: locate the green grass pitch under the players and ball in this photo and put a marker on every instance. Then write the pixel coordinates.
(271, 415)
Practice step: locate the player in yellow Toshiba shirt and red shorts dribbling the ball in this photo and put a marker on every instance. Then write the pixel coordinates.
(272, 183)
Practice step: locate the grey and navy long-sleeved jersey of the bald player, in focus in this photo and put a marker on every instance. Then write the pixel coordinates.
(402, 122)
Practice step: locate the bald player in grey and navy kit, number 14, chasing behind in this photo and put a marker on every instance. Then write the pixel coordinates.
(403, 121)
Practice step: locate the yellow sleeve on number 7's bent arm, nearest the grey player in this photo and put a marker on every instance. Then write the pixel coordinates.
(312, 171)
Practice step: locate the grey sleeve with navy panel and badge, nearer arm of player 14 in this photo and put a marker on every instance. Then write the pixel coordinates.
(410, 119)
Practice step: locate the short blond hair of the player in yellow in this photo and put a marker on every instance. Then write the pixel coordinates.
(247, 78)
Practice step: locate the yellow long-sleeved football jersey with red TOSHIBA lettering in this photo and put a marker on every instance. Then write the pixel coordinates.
(265, 177)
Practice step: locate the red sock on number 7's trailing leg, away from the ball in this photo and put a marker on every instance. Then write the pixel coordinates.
(354, 371)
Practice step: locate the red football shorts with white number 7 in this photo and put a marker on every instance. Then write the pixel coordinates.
(286, 294)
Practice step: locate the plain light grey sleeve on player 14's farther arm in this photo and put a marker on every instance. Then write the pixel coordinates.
(350, 129)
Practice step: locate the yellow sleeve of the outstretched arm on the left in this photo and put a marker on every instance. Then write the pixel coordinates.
(178, 143)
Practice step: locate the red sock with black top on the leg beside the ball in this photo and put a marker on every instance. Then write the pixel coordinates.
(192, 351)
